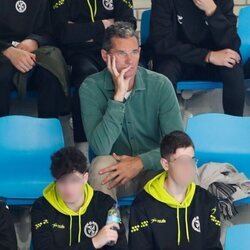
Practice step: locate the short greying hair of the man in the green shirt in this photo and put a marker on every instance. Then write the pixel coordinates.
(118, 29)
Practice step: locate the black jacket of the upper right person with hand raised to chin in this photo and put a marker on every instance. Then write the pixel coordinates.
(179, 29)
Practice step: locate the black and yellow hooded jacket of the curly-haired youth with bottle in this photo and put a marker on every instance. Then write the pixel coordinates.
(56, 227)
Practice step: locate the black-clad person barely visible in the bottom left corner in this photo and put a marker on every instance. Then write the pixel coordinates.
(8, 239)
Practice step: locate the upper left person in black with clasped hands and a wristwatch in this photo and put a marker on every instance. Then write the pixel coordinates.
(25, 26)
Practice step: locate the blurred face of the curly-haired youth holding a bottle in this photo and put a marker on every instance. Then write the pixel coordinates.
(70, 186)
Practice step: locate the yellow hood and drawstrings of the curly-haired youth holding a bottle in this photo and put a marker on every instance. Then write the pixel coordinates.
(52, 196)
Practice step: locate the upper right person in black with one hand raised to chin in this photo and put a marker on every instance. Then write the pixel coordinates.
(197, 40)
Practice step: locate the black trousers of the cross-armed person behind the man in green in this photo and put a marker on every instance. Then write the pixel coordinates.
(83, 65)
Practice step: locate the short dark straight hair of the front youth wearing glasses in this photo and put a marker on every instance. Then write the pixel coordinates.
(173, 141)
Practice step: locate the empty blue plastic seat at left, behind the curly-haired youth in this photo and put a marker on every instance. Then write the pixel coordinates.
(26, 146)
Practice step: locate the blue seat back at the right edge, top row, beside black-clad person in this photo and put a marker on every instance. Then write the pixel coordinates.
(244, 32)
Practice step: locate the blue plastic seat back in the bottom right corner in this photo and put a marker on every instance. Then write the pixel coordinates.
(238, 237)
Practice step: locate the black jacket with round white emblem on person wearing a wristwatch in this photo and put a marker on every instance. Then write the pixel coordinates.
(33, 22)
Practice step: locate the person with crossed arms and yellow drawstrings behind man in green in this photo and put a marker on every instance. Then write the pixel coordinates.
(79, 26)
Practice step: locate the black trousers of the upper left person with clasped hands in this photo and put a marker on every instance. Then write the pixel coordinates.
(50, 94)
